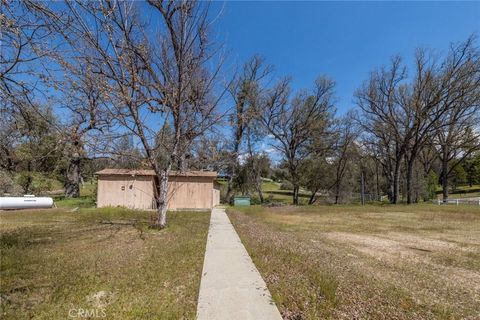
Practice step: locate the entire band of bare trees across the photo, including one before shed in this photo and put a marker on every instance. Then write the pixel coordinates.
(89, 84)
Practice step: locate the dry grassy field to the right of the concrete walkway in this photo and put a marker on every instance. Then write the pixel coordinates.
(372, 262)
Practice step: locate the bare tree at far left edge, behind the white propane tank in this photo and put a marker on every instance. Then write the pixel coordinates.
(26, 118)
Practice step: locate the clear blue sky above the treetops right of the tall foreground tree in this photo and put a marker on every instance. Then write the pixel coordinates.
(344, 40)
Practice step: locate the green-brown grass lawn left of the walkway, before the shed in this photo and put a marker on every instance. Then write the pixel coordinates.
(55, 263)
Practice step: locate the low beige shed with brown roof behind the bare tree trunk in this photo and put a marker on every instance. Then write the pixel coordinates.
(134, 189)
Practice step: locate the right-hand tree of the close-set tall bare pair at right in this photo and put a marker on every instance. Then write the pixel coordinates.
(437, 90)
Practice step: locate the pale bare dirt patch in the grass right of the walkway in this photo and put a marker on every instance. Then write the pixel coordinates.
(408, 260)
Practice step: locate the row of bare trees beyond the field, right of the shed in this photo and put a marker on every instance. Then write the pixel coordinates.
(411, 128)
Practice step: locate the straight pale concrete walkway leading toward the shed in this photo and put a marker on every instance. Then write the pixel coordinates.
(231, 286)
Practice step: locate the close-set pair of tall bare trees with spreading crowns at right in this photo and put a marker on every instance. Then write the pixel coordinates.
(404, 115)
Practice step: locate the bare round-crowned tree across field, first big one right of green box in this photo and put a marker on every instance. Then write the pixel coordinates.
(296, 124)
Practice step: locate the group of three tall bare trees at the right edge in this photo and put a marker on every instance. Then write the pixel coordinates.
(435, 107)
